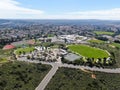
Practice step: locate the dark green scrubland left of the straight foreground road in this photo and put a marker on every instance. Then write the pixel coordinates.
(21, 75)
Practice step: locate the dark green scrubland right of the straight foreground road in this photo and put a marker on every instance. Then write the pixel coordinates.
(75, 79)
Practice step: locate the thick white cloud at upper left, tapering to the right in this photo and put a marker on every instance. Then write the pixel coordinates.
(12, 9)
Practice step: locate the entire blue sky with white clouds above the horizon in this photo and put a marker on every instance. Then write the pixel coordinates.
(60, 9)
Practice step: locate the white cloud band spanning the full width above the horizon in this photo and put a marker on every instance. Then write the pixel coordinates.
(12, 9)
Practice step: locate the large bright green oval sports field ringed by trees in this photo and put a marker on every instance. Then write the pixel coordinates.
(88, 51)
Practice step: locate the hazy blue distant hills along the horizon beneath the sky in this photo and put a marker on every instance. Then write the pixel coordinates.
(61, 22)
